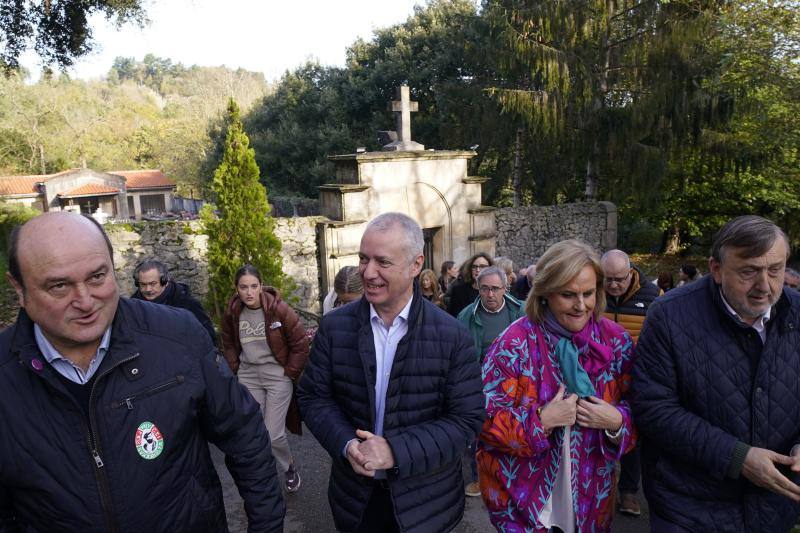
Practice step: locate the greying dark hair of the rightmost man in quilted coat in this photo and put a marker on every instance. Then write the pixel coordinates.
(751, 234)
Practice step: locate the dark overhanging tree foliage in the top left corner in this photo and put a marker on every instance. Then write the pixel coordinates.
(58, 31)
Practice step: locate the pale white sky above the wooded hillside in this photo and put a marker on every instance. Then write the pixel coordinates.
(259, 35)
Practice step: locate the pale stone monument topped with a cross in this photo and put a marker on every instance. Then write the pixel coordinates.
(431, 186)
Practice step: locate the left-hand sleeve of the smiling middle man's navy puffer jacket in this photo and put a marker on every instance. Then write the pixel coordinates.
(321, 412)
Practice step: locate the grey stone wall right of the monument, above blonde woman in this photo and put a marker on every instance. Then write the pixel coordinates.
(524, 233)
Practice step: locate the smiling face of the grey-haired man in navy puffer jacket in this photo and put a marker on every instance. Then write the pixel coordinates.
(387, 271)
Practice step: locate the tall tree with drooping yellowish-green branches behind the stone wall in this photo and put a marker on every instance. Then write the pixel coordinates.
(608, 76)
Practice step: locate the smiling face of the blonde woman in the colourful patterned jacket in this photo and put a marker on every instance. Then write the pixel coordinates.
(574, 303)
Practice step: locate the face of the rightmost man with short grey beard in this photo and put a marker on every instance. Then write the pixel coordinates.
(751, 285)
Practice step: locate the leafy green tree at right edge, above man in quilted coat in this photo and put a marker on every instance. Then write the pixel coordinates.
(749, 163)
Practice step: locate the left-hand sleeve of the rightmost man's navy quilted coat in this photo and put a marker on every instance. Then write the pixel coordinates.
(657, 407)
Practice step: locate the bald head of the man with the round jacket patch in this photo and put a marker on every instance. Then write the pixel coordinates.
(68, 285)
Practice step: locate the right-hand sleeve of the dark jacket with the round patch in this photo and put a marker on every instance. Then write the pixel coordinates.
(231, 419)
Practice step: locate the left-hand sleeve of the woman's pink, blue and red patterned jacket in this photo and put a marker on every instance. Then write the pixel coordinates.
(513, 426)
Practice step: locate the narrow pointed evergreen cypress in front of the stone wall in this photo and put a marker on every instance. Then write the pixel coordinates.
(242, 230)
